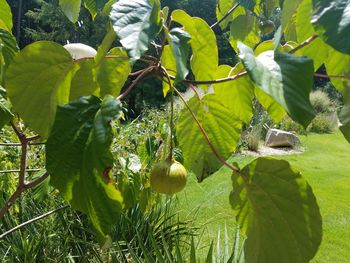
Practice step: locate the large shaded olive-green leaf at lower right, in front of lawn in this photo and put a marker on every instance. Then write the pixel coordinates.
(277, 210)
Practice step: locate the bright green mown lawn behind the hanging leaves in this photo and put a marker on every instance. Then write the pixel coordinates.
(325, 164)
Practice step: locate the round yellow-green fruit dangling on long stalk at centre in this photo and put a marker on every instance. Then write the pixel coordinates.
(168, 177)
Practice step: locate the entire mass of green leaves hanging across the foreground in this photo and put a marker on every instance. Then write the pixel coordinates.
(72, 103)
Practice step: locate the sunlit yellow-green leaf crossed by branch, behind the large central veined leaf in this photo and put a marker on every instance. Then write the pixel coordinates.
(237, 95)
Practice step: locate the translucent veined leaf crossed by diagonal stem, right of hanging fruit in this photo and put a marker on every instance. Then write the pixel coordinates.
(221, 126)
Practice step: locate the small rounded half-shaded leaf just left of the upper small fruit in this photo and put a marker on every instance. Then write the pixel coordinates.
(244, 28)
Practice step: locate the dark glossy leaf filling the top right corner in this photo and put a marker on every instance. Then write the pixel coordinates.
(332, 22)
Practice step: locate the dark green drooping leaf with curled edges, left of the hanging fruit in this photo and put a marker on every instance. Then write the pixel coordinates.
(79, 159)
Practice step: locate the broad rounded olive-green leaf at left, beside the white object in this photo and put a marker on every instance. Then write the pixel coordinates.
(37, 83)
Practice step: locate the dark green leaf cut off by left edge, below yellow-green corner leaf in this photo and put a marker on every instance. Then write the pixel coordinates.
(8, 46)
